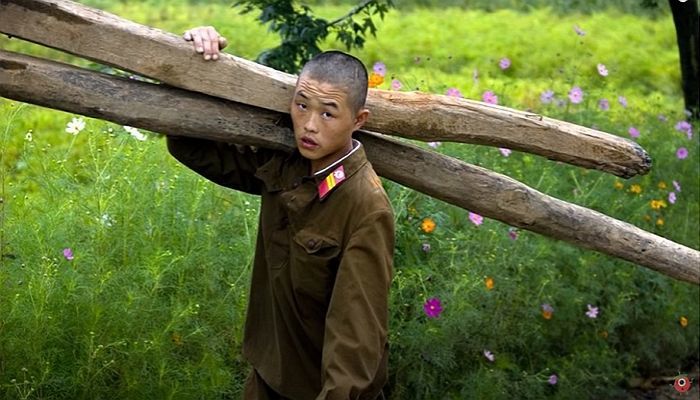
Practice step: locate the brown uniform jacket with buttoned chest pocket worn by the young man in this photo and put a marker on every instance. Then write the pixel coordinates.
(317, 318)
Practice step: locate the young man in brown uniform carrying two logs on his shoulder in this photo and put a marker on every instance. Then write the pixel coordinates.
(316, 326)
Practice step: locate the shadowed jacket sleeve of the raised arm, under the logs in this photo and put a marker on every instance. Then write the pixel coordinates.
(222, 163)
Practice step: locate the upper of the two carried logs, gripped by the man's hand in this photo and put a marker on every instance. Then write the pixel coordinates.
(108, 39)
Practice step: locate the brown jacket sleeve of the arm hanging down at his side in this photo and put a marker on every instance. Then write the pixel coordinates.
(355, 347)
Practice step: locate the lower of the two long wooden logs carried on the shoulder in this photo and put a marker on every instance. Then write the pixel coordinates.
(175, 111)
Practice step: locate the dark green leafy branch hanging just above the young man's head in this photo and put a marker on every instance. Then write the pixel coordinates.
(301, 32)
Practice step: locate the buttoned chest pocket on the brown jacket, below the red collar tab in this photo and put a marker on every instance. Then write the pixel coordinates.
(314, 262)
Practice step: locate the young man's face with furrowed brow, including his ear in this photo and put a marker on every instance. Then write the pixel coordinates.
(323, 121)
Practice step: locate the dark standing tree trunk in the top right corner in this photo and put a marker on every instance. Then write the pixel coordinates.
(687, 23)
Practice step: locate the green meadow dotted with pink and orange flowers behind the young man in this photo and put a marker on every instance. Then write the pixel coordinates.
(123, 275)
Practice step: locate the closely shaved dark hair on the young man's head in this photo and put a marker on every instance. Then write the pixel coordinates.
(342, 70)
